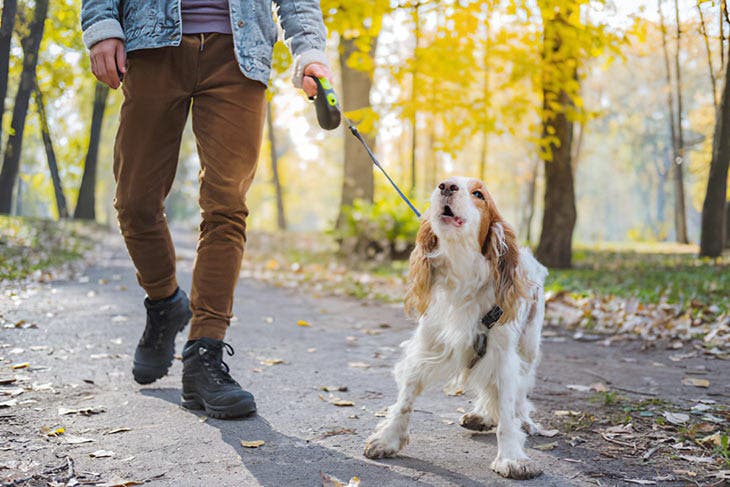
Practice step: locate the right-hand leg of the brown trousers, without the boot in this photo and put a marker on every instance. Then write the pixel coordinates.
(228, 119)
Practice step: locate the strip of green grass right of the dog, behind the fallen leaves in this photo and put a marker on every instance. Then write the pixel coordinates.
(650, 273)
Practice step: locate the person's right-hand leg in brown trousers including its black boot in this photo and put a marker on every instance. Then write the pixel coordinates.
(228, 119)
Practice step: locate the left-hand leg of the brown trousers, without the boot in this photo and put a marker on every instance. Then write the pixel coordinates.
(157, 90)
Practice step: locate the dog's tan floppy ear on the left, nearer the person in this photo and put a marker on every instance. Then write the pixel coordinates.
(419, 275)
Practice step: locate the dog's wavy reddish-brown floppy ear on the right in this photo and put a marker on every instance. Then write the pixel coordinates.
(501, 248)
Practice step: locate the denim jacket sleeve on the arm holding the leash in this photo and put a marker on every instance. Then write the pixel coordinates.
(304, 29)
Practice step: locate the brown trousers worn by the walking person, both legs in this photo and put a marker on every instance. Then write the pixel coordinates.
(228, 113)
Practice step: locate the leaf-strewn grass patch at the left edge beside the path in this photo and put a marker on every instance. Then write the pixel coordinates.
(30, 244)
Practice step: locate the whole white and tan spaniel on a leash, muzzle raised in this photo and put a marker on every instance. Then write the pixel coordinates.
(479, 301)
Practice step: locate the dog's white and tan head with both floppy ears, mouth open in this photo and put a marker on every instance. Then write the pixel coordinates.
(464, 218)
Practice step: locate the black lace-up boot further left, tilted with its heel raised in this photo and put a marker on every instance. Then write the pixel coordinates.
(156, 349)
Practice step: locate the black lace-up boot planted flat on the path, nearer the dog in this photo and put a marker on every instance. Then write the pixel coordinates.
(207, 383)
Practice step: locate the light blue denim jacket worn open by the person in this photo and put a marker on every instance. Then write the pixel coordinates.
(157, 23)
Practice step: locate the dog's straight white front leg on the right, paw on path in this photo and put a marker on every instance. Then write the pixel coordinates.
(511, 461)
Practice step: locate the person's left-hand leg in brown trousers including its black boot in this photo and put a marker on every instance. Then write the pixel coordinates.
(157, 91)
